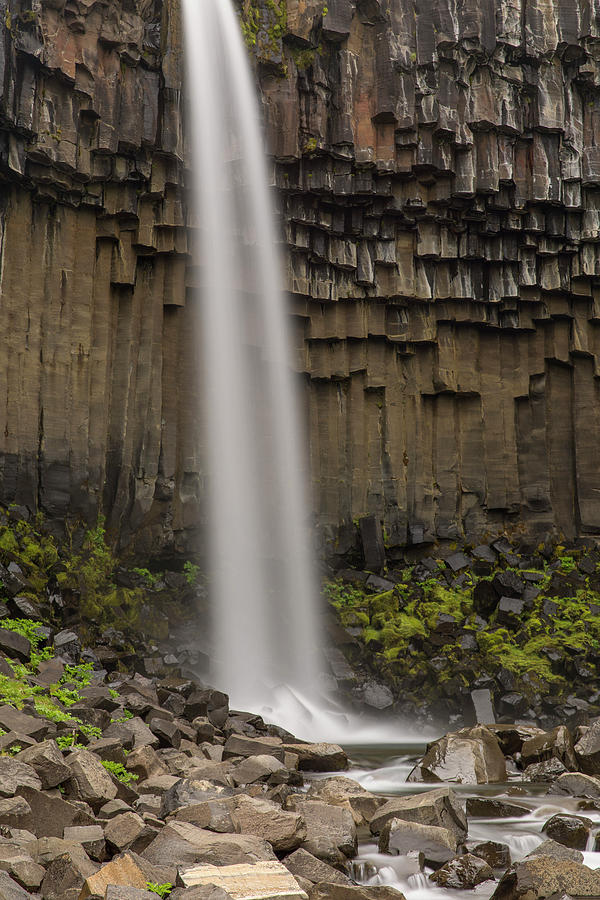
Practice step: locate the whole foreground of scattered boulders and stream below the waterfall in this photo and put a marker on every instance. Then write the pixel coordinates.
(117, 786)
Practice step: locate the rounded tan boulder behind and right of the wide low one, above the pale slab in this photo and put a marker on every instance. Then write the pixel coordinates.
(284, 831)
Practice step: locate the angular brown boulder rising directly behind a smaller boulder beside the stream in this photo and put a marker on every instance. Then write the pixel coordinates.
(440, 807)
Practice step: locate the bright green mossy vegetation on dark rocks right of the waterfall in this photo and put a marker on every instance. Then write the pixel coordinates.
(404, 641)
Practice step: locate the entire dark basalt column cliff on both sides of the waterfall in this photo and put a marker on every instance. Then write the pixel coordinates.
(438, 172)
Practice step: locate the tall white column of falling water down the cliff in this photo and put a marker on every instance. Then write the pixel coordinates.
(264, 596)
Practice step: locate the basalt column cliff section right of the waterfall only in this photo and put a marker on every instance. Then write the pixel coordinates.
(439, 174)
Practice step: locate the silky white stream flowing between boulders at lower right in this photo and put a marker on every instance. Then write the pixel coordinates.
(383, 769)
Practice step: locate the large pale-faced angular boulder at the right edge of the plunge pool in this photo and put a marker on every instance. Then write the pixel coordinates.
(470, 756)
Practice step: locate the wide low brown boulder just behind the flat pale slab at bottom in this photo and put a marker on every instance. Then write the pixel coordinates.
(187, 845)
